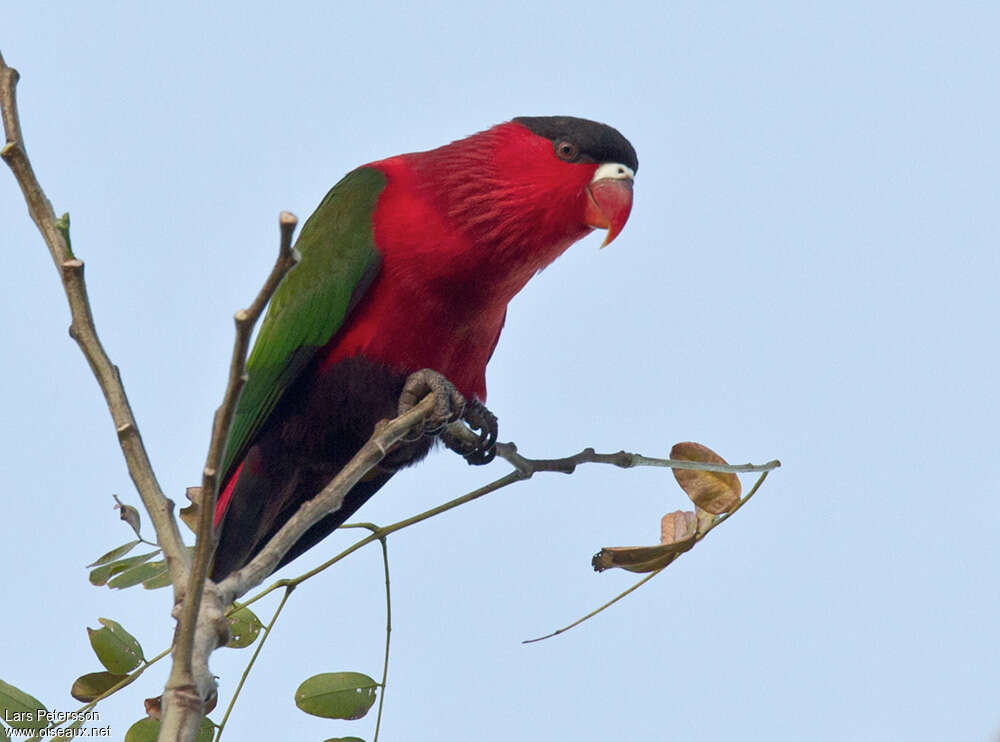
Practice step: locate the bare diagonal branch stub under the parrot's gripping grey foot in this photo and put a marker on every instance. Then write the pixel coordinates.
(326, 502)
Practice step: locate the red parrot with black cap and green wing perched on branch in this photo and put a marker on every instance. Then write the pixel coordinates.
(405, 272)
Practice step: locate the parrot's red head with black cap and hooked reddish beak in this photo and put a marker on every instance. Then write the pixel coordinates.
(526, 189)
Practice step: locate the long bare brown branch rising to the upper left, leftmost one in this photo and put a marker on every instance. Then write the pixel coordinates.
(84, 333)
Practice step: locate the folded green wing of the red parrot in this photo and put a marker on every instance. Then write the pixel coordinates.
(338, 263)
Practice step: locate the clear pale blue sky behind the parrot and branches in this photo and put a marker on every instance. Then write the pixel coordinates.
(809, 273)
